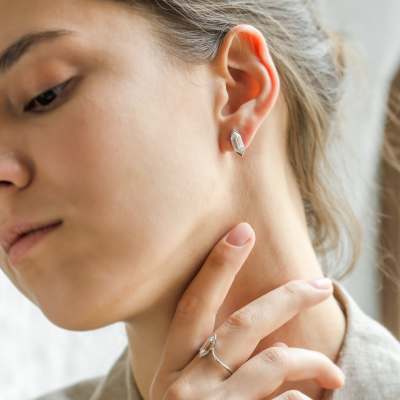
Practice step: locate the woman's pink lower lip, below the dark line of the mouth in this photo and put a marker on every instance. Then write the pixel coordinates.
(24, 242)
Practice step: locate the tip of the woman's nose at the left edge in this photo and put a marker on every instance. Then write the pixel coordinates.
(14, 173)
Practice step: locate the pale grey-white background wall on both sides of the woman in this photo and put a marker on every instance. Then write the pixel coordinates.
(37, 357)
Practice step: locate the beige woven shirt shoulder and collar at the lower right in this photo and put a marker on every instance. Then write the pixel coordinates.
(370, 355)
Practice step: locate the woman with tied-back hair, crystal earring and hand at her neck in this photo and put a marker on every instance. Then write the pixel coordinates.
(127, 196)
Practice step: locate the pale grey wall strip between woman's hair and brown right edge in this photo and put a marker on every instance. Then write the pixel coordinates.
(372, 31)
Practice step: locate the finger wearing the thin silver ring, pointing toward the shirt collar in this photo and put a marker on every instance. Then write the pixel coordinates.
(244, 329)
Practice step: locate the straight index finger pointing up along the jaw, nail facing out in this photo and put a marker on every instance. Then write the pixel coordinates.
(195, 314)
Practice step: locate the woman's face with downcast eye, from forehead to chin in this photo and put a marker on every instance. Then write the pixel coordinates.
(125, 155)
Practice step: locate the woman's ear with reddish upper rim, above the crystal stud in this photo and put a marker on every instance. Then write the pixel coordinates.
(249, 86)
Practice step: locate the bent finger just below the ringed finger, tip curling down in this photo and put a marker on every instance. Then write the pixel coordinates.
(265, 373)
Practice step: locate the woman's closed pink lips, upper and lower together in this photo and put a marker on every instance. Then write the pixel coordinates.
(18, 238)
